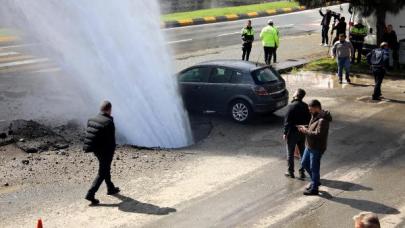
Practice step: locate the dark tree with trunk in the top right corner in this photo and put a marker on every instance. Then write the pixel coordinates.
(367, 7)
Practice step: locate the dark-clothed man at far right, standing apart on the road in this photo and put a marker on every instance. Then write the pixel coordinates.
(379, 60)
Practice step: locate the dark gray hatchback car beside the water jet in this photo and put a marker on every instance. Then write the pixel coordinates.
(233, 87)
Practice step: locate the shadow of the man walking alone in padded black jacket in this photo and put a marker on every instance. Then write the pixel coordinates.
(133, 206)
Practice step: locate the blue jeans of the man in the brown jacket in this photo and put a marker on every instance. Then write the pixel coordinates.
(311, 162)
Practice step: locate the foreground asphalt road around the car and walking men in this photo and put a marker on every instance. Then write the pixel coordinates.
(234, 178)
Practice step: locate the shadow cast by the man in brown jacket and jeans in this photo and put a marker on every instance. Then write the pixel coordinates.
(362, 205)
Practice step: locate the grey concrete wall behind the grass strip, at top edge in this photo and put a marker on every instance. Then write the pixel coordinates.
(170, 6)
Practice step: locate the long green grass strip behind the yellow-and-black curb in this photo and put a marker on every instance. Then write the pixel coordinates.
(229, 10)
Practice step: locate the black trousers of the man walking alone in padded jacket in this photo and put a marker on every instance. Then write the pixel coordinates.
(104, 172)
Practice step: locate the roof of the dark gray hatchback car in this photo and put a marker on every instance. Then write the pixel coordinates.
(234, 64)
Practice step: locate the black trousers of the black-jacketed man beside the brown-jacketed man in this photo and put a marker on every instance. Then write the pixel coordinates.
(294, 139)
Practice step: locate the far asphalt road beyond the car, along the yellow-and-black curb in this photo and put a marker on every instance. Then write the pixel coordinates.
(201, 37)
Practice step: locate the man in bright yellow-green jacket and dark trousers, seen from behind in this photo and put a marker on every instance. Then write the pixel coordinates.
(270, 41)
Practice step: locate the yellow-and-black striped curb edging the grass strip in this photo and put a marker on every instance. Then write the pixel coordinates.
(229, 17)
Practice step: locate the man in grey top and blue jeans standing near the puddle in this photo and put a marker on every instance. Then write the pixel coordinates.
(342, 50)
